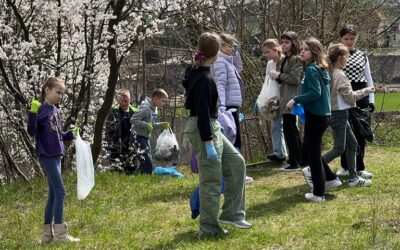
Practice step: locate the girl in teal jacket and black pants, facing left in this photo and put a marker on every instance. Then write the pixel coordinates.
(315, 98)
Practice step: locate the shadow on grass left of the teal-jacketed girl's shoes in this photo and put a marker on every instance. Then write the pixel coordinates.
(287, 198)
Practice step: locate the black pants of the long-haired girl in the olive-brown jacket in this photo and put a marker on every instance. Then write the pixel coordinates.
(292, 138)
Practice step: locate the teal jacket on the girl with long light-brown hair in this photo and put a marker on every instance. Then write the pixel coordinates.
(314, 92)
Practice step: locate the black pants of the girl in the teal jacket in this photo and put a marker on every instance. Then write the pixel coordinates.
(314, 129)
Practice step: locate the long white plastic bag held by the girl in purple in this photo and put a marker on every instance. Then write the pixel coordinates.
(84, 168)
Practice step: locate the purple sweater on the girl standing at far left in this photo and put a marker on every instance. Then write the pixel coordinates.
(46, 126)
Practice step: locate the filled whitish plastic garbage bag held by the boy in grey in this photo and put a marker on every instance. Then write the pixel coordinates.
(167, 147)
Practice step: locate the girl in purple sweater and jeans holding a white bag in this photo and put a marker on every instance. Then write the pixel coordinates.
(44, 123)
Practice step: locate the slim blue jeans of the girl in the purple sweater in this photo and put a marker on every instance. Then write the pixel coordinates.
(55, 201)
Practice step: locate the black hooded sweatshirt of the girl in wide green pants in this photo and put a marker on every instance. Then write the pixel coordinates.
(201, 98)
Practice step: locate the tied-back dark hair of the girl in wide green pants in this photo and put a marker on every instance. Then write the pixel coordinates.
(208, 46)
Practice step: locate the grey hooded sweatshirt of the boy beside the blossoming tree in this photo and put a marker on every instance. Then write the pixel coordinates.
(146, 113)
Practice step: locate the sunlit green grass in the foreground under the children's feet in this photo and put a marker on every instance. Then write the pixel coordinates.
(152, 212)
